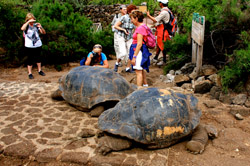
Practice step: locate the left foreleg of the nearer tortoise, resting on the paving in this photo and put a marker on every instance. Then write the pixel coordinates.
(107, 144)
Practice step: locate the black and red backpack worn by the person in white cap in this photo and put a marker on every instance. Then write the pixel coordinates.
(171, 26)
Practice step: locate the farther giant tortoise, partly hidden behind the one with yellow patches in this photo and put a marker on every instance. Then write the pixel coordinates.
(88, 87)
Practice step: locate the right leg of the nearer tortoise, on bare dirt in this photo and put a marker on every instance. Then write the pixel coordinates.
(198, 141)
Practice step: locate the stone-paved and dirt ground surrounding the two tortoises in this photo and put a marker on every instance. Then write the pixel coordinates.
(36, 130)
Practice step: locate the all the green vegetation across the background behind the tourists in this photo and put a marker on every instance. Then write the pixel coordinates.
(69, 34)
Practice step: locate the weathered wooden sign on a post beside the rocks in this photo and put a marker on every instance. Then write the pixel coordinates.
(198, 30)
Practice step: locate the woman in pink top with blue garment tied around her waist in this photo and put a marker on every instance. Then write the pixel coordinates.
(139, 54)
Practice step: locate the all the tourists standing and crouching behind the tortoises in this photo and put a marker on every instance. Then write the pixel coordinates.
(130, 37)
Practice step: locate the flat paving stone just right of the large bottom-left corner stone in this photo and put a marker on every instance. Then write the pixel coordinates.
(48, 155)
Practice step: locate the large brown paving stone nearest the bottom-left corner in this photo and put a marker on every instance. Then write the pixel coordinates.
(22, 150)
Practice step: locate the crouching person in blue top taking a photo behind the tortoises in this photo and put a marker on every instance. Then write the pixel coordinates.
(97, 58)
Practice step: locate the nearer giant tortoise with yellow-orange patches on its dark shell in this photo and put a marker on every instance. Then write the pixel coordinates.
(154, 118)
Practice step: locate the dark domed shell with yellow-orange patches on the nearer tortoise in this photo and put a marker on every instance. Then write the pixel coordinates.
(153, 116)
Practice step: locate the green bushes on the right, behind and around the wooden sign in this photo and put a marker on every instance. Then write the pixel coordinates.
(226, 37)
